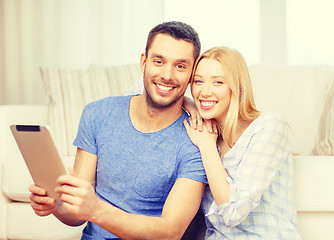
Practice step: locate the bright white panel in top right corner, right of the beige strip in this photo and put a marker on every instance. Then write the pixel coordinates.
(310, 31)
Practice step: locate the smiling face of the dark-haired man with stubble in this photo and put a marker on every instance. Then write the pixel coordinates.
(167, 69)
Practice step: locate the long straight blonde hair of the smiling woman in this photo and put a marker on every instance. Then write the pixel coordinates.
(242, 104)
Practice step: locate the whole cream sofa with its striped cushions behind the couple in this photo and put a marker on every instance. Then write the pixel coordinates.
(301, 94)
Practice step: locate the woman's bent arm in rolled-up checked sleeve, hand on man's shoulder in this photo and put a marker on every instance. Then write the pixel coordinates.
(268, 148)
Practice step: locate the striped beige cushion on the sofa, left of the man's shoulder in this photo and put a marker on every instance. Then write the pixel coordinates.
(70, 90)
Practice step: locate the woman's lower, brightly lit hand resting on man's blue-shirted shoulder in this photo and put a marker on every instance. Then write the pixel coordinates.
(201, 138)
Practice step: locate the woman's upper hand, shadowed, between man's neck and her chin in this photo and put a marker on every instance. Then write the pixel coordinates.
(195, 119)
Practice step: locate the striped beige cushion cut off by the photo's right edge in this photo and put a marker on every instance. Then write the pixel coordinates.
(325, 141)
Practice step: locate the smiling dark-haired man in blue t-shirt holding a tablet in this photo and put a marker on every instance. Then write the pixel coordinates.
(136, 173)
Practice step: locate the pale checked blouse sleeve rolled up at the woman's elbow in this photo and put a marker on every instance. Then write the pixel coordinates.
(268, 148)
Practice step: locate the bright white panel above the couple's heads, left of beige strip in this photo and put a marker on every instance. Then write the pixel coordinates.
(221, 23)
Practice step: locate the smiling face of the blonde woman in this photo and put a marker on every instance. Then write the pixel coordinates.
(211, 94)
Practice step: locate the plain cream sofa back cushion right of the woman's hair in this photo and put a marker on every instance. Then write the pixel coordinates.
(296, 93)
